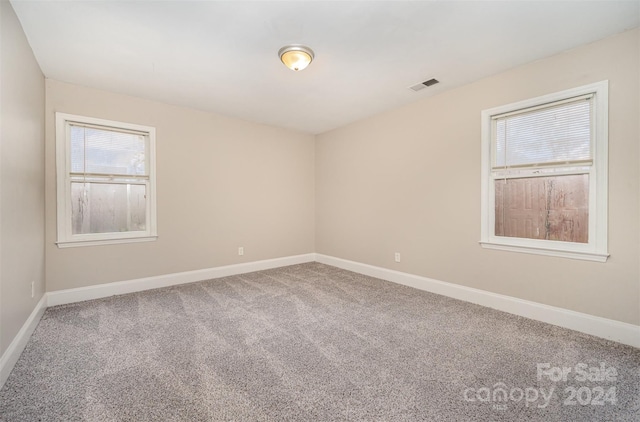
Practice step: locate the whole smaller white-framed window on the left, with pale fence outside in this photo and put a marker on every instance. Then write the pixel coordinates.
(105, 181)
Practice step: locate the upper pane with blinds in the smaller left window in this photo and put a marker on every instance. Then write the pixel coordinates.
(107, 152)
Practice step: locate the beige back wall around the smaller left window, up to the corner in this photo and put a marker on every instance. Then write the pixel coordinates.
(221, 183)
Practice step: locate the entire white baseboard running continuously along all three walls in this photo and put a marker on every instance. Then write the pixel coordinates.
(601, 327)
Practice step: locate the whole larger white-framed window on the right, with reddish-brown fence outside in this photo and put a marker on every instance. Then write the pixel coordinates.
(544, 175)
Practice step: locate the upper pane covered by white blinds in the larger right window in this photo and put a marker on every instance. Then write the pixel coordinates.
(552, 134)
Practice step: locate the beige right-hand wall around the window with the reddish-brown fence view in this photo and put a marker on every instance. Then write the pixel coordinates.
(408, 181)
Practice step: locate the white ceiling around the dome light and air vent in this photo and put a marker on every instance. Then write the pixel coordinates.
(221, 56)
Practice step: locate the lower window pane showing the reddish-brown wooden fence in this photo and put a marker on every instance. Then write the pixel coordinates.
(551, 208)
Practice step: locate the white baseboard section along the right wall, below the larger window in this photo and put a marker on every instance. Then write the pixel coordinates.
(609, 329)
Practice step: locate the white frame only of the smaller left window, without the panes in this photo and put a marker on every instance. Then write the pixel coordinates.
(66, 238)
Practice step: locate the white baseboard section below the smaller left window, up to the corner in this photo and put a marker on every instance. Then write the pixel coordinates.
(61, 297)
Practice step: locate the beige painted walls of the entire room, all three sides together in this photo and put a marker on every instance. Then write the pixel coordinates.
(405, 181)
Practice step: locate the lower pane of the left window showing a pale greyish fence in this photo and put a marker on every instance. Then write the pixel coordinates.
(108, 207)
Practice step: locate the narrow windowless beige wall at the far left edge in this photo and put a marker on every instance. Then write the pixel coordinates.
(22, 178)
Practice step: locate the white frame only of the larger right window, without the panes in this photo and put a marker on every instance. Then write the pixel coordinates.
(596, 248)
